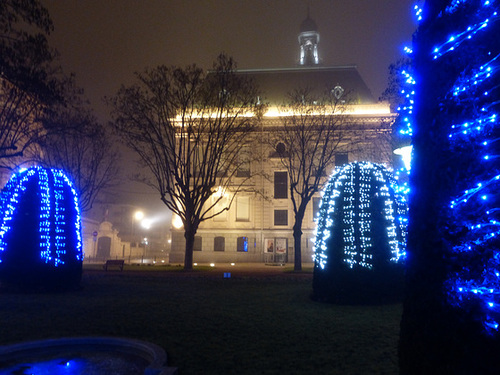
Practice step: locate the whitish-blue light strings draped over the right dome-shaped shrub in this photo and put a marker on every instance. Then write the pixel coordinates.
(352, 190)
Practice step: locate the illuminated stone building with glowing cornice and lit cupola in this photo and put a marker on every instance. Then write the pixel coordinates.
(258, 225)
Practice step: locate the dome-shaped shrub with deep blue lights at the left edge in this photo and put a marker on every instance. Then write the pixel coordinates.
(40, 231)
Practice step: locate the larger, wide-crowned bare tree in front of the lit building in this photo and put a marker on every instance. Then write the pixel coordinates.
(187, 128)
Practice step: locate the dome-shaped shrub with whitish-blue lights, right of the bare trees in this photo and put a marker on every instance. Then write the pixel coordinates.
(361, 237)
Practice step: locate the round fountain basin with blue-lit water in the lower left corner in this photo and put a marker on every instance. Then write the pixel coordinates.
(85, 355)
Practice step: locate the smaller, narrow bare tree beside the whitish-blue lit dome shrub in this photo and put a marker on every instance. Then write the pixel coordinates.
(312, 132)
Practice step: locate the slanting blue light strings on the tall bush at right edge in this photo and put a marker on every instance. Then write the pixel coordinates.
(474, 209)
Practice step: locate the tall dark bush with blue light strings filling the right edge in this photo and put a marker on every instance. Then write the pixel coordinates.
(451, 314)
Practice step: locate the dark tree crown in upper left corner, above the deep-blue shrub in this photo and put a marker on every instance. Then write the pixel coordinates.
(28, 80)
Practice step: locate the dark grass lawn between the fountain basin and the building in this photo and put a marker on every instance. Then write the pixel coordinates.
(210, 325)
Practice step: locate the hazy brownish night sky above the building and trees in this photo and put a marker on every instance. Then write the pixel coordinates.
(105, 41)
